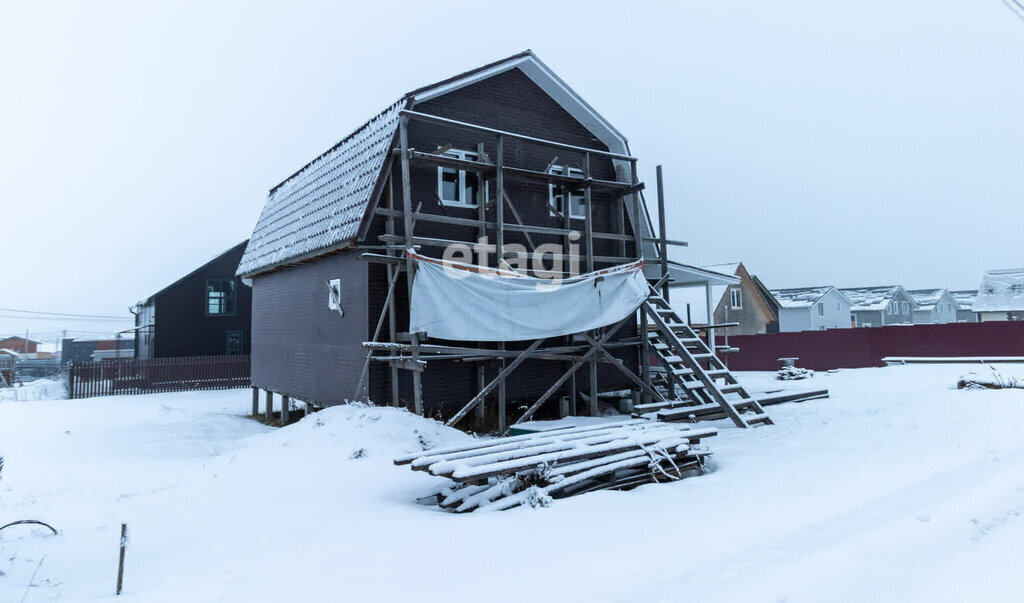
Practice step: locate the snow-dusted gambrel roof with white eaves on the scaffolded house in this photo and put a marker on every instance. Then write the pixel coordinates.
(322, 207)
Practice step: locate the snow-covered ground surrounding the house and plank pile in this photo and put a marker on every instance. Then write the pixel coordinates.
(900, 488)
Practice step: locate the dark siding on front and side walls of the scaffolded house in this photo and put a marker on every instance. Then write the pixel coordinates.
(304, 351)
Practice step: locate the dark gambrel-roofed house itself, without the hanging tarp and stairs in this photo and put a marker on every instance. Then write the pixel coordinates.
(494, 153)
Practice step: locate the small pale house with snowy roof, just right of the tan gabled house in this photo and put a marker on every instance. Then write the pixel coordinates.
(813, 309)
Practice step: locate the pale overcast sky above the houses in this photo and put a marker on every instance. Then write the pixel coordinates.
(821, 143)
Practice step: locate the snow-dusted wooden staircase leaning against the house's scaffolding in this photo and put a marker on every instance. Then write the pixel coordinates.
(681, 354)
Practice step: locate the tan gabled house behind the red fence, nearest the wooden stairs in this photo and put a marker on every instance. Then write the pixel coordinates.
(741, 301)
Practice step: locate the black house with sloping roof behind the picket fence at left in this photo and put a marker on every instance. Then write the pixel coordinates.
(207, 313)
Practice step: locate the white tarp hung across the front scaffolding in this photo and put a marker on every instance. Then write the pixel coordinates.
(471, 304)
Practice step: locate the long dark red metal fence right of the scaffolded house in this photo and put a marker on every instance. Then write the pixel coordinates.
(852, 349)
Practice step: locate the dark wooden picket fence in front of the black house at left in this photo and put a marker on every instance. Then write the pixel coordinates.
(130, 376)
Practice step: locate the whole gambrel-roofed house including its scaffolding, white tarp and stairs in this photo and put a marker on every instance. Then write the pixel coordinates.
(509, 163)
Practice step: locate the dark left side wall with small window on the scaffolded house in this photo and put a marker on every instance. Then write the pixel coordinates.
(301, 347)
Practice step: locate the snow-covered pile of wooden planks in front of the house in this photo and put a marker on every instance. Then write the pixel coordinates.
(534, 469)
